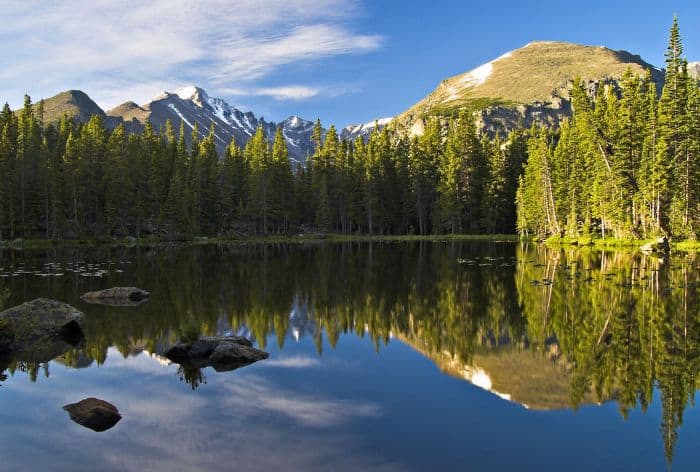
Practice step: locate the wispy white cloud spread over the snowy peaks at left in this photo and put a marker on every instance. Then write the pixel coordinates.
(116, 48)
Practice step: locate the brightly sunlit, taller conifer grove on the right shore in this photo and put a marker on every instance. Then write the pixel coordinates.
(626, 165)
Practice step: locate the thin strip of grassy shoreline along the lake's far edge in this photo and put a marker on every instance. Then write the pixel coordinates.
(553, 241)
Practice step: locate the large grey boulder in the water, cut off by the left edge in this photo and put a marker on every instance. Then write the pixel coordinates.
(40, 330)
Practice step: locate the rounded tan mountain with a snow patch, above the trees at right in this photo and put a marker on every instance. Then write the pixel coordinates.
(538, 74)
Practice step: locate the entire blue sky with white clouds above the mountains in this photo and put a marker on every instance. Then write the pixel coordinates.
(344, 61)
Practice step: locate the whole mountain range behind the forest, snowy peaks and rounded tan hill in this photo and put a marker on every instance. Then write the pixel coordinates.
(530, 85)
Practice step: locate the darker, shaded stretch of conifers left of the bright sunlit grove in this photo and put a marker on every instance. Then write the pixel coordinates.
(68, 180)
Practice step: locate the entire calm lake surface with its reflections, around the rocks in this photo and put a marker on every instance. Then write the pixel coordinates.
(453, 356)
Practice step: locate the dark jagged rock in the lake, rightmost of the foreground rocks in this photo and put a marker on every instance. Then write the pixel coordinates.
(223, 353)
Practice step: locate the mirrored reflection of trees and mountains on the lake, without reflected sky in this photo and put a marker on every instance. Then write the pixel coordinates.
(544, 328)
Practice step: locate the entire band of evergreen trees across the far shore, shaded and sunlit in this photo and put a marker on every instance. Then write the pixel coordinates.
(625, 165)
